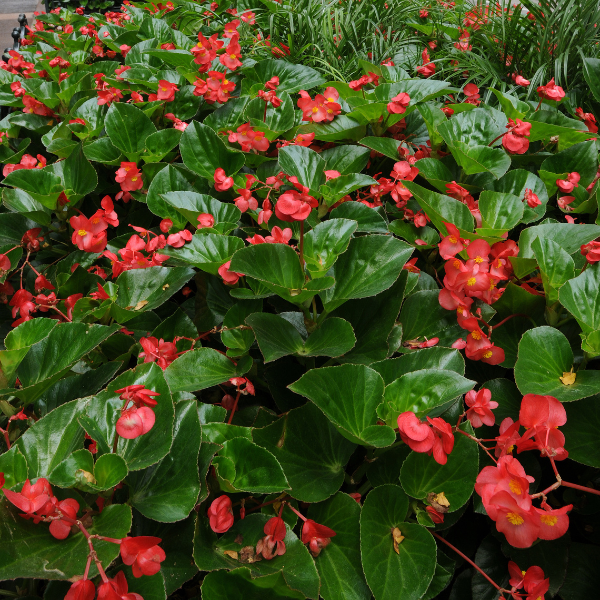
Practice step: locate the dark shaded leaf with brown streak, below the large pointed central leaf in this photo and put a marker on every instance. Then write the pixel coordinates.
(310, 451)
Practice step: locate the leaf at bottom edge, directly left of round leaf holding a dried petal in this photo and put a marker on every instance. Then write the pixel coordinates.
(339, 566)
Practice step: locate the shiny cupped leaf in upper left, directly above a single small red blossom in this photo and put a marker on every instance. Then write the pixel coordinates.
(203, 152)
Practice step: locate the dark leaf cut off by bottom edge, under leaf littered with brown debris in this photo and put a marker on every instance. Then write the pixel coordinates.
(238, 585)
